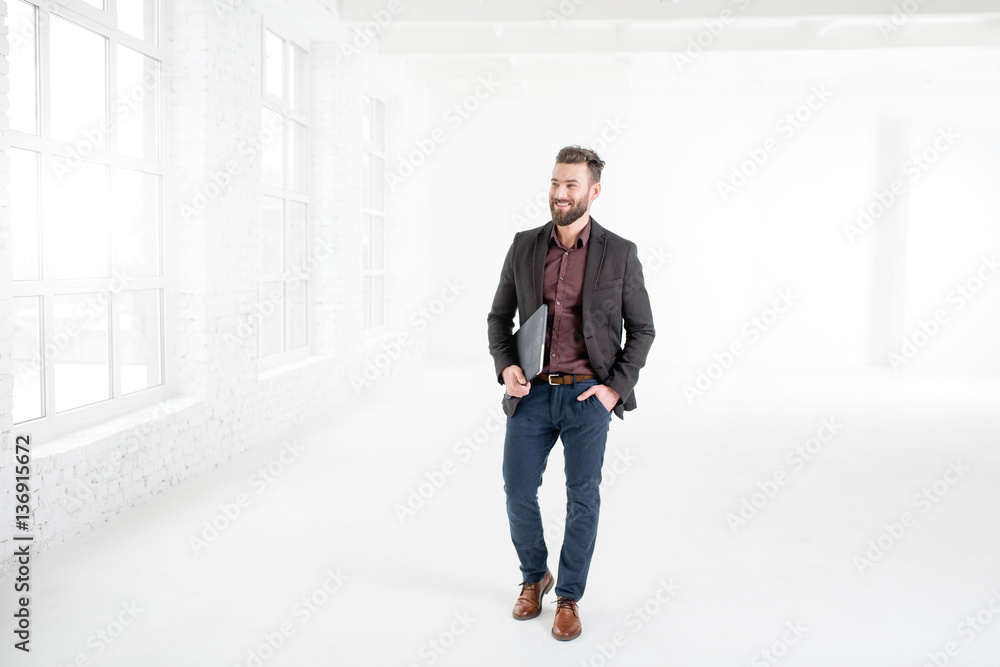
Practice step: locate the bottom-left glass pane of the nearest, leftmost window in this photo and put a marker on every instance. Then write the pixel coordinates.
(27, 359)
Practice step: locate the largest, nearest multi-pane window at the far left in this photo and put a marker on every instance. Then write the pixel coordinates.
(86, 202)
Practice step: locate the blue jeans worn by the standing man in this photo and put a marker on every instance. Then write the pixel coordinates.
(545, 414)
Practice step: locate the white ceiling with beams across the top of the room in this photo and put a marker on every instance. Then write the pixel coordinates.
(457, 40)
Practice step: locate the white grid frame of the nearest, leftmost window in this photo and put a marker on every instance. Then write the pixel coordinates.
(53, 424)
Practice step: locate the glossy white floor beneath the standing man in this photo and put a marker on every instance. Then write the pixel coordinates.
(671, 584)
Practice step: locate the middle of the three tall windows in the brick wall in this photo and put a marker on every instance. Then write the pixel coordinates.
(283, 289)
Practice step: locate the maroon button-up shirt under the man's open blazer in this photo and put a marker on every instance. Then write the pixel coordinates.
(562, 289)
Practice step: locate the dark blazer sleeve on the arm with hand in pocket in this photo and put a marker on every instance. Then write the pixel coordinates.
(637, 315)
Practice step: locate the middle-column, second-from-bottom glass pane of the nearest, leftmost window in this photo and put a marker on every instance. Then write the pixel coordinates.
(76, 220)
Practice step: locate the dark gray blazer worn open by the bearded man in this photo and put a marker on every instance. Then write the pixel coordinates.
(613, 293)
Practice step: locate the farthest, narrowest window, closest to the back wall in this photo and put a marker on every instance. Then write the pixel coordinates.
(373, 212)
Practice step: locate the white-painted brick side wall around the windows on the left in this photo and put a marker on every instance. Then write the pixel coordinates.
(220, 404)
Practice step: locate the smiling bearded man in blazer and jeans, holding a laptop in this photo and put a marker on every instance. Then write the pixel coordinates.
(591, 280)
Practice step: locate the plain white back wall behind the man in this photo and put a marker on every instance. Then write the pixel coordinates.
(785, 228)
